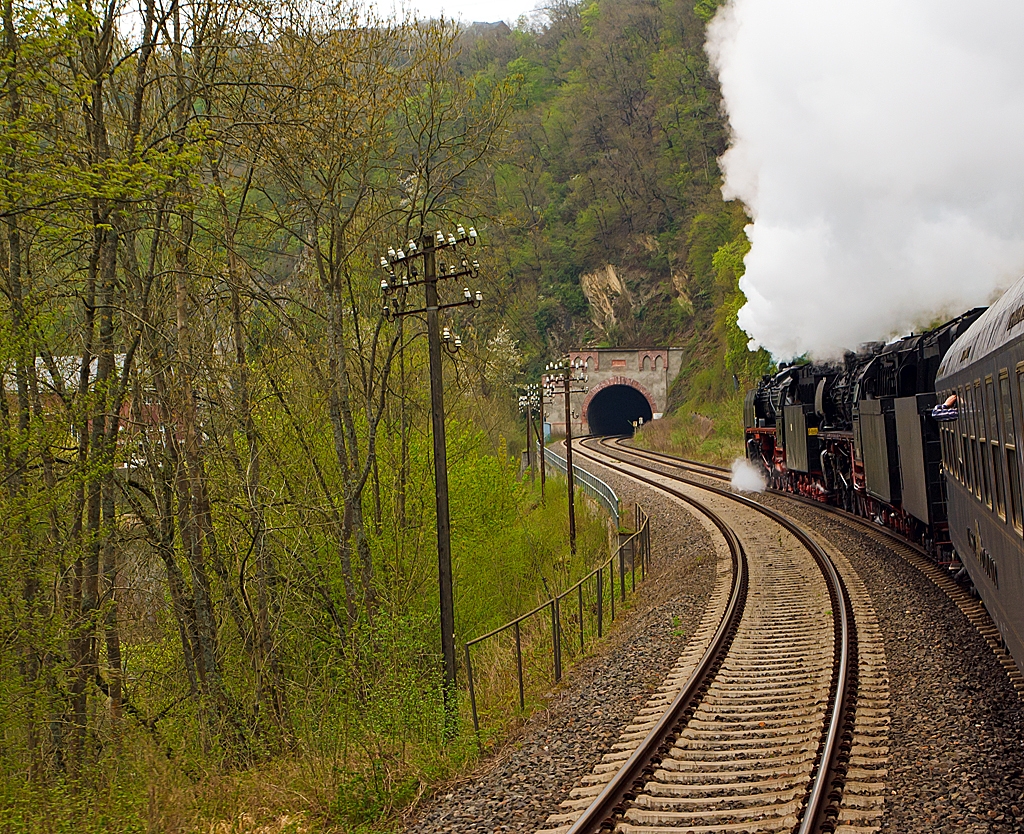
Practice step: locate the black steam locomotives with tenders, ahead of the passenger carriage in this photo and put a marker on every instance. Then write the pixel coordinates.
(860, 434)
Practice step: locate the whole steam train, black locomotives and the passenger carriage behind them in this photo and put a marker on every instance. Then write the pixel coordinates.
(923, 435)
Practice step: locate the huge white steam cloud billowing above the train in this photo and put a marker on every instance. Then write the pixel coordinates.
(878, 147)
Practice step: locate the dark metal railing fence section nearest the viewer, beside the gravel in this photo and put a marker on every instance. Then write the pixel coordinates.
(562, 624)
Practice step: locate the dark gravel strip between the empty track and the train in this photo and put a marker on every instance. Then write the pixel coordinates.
(957, 741)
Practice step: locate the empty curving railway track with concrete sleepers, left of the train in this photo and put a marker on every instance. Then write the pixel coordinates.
(755, 728)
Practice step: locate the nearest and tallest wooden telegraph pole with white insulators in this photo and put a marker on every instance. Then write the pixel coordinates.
(402, 273)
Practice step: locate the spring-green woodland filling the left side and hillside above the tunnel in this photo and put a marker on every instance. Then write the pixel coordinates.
(252, 553)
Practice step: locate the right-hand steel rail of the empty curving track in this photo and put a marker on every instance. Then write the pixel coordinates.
(826, 789)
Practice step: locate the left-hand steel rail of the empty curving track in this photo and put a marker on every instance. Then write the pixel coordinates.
(631, 777)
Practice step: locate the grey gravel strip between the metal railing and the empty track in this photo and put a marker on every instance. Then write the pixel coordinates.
(519, 786)
